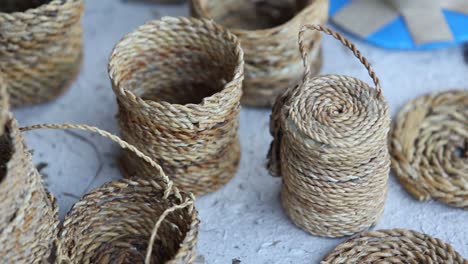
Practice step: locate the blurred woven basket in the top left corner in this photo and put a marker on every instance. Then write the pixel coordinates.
(40, 47)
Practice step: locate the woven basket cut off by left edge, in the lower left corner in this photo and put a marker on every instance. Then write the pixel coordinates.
(28, 213)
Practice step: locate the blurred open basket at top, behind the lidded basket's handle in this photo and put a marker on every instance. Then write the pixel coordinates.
(267, 30)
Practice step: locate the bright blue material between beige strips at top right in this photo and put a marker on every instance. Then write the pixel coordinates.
(395, 35)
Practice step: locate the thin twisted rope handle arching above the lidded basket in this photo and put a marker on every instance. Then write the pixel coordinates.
(345, 42)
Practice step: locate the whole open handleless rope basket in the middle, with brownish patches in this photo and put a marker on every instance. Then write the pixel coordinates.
(178, 86)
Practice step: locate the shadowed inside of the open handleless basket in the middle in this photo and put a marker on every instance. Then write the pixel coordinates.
(184, 69)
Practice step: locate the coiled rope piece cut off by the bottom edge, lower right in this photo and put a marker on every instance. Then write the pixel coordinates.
(394, 246)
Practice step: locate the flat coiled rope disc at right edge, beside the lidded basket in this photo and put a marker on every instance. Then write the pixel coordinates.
(429, 147)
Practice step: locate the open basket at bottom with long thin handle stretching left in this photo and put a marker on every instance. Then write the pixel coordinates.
(129, 221)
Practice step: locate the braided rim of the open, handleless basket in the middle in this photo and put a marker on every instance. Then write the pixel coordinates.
(230, 86)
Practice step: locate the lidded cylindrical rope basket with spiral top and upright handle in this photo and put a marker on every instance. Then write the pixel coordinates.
(330, 147)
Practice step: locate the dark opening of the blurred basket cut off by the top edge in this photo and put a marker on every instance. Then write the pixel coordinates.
(254, 14)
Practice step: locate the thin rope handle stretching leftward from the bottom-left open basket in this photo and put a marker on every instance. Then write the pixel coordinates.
(122, 143)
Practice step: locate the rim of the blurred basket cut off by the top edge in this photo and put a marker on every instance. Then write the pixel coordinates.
(205, 14)
